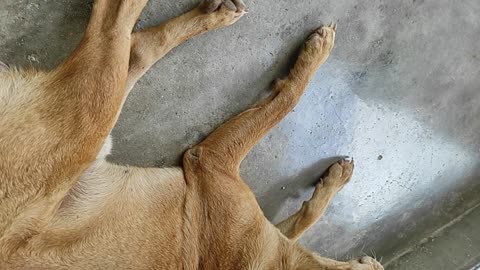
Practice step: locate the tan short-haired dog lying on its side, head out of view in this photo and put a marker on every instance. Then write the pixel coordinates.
(63, 206)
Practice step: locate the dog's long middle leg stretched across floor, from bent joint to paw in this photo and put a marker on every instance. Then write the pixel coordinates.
(226, 147)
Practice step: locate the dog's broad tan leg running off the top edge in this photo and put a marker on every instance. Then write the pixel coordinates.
(82, 97)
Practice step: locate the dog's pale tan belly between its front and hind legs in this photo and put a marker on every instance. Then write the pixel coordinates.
(115, 218)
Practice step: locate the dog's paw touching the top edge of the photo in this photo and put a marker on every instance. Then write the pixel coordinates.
(226, 12)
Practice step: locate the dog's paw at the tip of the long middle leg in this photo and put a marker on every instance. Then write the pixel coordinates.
(319, 45)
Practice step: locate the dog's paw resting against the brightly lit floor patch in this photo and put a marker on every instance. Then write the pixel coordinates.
(338, 174)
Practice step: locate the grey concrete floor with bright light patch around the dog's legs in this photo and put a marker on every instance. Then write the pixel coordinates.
(400, 93)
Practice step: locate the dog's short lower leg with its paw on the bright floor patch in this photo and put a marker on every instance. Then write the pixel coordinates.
(337, 175)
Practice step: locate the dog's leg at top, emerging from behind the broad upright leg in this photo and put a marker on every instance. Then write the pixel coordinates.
(151, 44)
